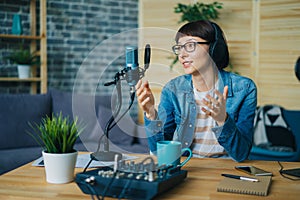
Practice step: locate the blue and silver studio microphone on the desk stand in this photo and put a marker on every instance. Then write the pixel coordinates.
(132, 67)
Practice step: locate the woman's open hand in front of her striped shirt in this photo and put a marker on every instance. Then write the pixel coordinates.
(216, 107)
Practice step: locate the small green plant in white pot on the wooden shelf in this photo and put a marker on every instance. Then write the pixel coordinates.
(24, 60)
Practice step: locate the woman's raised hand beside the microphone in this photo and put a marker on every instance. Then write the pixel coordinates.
(145, 99)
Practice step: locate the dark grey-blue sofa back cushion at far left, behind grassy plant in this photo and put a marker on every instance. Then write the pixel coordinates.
(17, 111)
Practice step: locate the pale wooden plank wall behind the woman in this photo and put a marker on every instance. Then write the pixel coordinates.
(263, 39)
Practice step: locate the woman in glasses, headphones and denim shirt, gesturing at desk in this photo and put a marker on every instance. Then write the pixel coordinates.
(207, 109)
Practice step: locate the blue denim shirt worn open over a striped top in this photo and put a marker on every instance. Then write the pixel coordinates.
(177, 112)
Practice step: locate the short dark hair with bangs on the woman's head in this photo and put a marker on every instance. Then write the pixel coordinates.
(206, 30)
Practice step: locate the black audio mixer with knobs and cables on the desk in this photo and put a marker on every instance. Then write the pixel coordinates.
(130, 180)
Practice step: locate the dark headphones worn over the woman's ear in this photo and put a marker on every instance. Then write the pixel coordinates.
(218, 49)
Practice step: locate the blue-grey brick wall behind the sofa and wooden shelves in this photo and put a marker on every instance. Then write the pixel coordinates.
(86, 43)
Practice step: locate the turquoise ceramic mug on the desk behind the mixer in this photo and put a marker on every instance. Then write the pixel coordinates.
(169, 153)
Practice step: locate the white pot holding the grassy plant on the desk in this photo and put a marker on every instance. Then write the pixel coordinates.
(59, 168)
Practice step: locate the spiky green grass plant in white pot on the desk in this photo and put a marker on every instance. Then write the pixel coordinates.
(58, 134)
